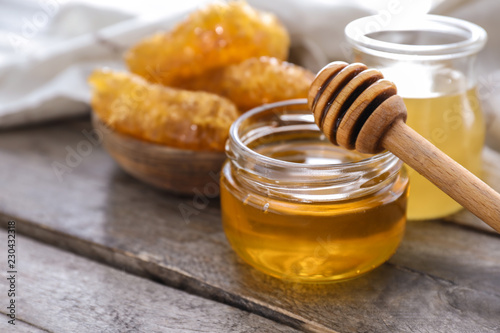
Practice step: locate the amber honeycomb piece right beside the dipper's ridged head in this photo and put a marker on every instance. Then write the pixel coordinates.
(254, 82)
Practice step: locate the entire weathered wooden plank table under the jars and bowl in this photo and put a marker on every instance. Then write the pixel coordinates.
(99, 251)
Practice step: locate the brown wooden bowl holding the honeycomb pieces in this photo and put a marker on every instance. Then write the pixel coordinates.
(176, 170)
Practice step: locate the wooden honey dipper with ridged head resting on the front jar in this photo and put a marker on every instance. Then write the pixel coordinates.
(357, 109)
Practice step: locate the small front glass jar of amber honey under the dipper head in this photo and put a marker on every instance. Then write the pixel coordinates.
(299, 208)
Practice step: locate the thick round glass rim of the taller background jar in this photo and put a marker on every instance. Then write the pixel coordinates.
(474, 37)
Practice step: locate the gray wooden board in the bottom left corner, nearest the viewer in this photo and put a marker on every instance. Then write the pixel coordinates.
(61, 292)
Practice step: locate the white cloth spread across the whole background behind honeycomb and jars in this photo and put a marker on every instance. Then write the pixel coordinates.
(49, 47)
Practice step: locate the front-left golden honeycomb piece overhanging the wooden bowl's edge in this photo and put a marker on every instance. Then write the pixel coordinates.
(173, 117)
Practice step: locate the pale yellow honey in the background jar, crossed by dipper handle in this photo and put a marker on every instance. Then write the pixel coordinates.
(454, 123)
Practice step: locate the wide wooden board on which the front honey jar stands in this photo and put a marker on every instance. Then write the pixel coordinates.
(444, 277)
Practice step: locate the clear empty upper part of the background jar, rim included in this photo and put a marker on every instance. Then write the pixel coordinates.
(431, 56)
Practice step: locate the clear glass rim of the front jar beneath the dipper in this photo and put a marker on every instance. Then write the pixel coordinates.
(240, 145)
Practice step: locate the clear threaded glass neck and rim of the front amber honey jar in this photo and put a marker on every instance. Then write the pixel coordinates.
(289, 123)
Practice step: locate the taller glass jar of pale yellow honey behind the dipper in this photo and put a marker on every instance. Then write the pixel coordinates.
(431, 60)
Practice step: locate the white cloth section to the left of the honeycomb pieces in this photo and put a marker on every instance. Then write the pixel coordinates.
(48, 48)
